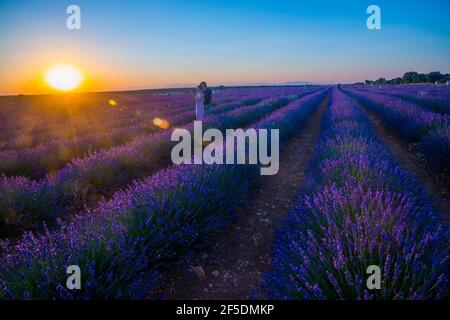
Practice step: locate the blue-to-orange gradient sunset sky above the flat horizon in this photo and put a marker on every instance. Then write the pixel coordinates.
(145, 44)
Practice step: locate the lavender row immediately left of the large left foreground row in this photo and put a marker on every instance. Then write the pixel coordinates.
(25, 203)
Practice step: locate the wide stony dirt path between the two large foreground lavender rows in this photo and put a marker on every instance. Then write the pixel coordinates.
(234, 265)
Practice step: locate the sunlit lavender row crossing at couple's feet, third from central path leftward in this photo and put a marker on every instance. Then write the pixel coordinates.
(38, 161)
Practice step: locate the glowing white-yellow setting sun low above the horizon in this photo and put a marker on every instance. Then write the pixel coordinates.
(63, 77)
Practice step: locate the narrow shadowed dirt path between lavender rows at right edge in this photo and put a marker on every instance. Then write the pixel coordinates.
(435, 184)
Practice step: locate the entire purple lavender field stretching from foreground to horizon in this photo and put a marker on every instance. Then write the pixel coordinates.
(87, 179)
